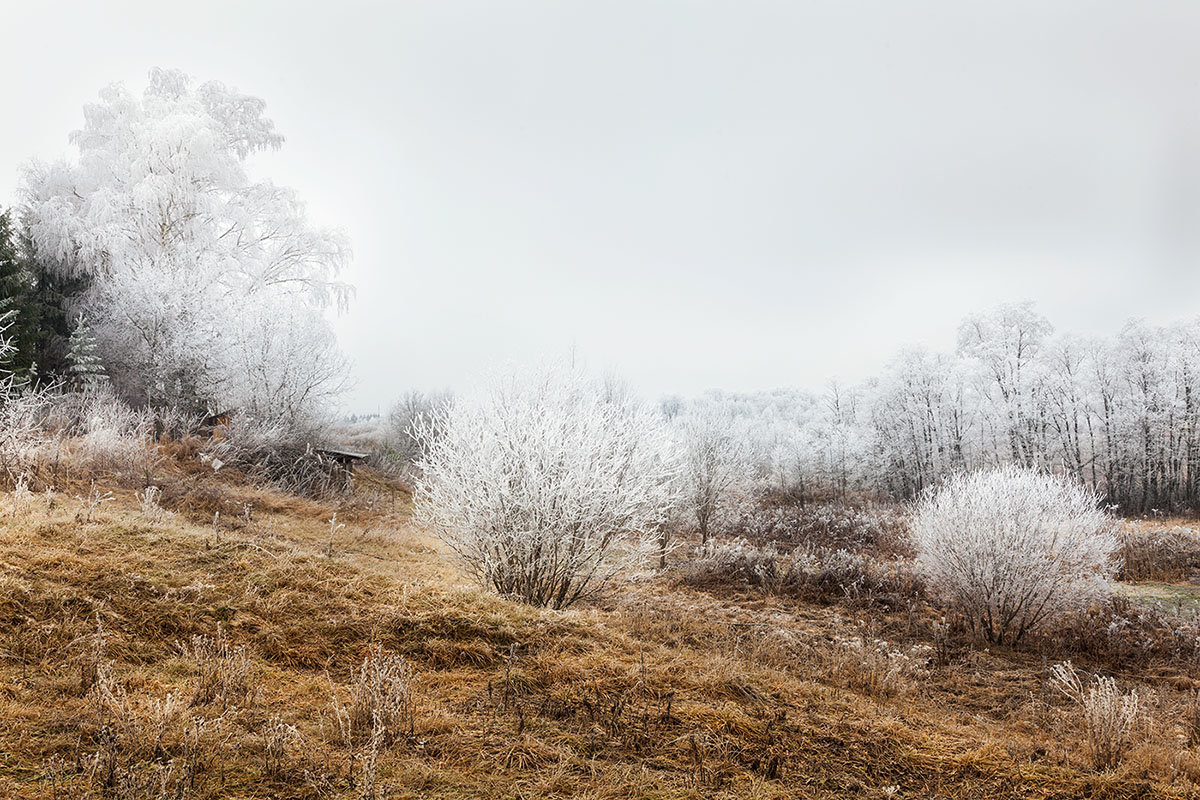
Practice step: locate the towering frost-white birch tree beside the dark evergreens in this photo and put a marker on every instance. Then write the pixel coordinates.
(175, 244)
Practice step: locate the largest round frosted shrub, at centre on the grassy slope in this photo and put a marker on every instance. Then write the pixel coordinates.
(547, 486)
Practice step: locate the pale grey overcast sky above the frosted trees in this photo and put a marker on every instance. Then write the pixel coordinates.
(695, 195)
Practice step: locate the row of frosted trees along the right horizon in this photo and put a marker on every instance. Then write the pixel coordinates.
(1120, 414)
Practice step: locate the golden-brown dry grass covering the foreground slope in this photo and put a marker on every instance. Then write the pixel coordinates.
(659, 691)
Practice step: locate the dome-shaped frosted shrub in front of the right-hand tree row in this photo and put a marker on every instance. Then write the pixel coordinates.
(1011, 549)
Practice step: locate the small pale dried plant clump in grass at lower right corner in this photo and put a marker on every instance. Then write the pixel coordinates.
(1109, 715)
